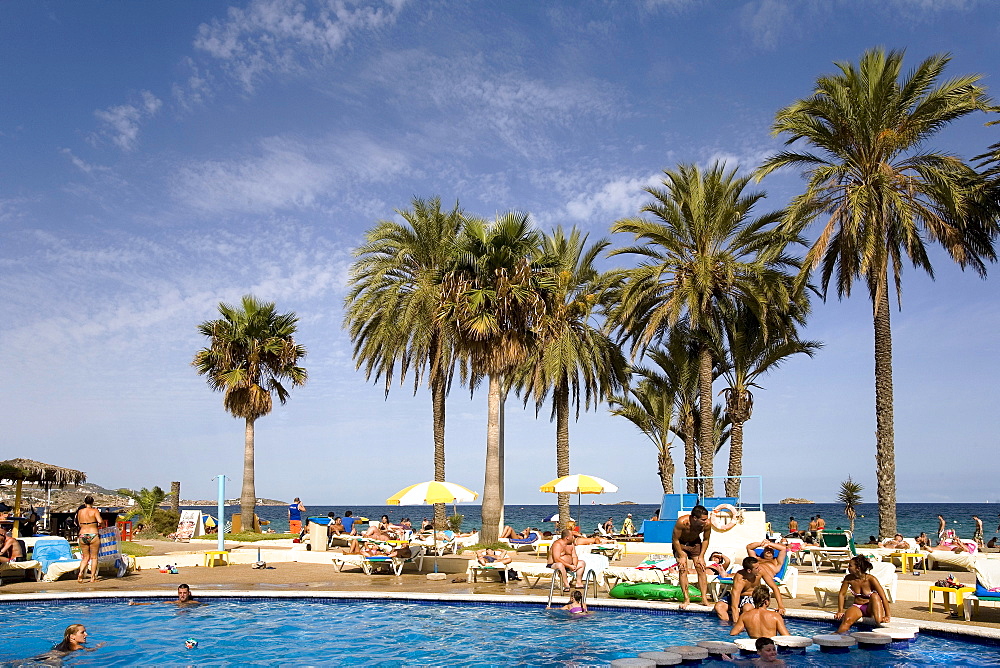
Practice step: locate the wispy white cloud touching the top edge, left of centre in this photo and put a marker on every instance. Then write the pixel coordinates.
(287, 36)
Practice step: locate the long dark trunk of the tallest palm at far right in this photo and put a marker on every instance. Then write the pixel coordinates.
(885, 455)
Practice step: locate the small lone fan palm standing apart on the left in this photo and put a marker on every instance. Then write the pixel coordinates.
(252, 350)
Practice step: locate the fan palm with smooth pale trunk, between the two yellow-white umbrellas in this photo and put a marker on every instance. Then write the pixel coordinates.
(495, 297)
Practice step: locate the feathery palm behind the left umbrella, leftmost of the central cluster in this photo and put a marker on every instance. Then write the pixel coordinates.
(392, 308)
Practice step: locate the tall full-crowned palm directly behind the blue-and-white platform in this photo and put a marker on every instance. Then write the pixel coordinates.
(703, 253)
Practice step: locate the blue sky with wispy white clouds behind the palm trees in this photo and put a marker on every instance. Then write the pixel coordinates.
(158, 158)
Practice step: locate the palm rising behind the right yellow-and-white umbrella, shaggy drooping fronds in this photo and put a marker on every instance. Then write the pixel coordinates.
(574, 358)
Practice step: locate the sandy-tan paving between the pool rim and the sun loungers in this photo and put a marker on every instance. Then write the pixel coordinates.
(292, 576)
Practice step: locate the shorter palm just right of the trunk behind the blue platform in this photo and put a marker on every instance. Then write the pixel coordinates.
(751, 350)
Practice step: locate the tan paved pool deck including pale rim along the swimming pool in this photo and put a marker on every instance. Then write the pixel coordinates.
(295, 572)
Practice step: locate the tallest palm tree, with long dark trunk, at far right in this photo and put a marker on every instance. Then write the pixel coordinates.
(884, 194)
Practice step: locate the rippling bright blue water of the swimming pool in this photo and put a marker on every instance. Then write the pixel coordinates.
(388, 633)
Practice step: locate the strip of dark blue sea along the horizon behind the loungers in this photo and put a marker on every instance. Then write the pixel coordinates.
(911, 518)
